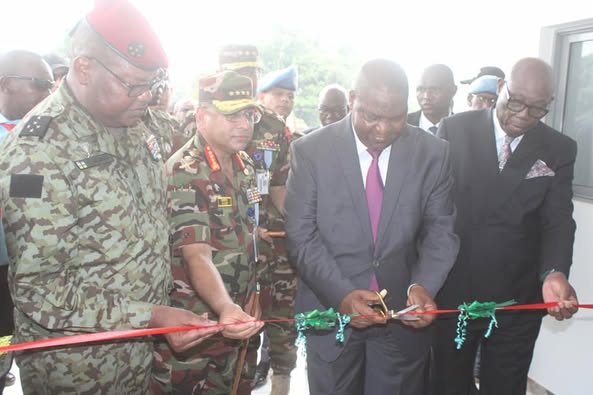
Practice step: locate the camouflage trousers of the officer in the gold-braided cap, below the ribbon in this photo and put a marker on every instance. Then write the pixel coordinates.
(208, 368)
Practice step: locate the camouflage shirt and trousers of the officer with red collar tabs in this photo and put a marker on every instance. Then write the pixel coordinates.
(206, 207)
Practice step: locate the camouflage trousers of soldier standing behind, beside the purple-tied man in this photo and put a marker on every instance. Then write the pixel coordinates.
(278, 279)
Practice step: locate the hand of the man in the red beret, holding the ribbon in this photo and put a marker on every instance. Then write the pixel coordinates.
(165, 316)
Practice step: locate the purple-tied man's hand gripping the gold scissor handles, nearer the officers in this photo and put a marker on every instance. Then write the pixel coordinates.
(357, 303)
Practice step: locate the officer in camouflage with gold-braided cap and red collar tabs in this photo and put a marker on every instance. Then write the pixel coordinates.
(213, 200)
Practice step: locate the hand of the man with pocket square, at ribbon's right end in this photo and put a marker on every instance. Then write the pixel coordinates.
(556, 288)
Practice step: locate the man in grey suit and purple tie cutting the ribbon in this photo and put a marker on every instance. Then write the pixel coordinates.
(345, 248)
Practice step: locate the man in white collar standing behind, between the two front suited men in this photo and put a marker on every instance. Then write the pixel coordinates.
(434, 92)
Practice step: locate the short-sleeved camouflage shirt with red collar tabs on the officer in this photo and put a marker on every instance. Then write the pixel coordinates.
(206, 207)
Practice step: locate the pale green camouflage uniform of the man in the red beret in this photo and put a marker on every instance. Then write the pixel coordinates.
(84, 209)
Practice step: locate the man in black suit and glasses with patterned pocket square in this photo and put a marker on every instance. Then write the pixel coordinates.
(513, 191)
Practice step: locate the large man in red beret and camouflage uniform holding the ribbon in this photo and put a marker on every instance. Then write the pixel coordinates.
(83, 191)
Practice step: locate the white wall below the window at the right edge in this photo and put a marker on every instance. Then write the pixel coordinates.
(564, 350)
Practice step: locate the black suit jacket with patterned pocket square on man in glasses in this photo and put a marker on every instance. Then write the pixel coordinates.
(512, 229)
